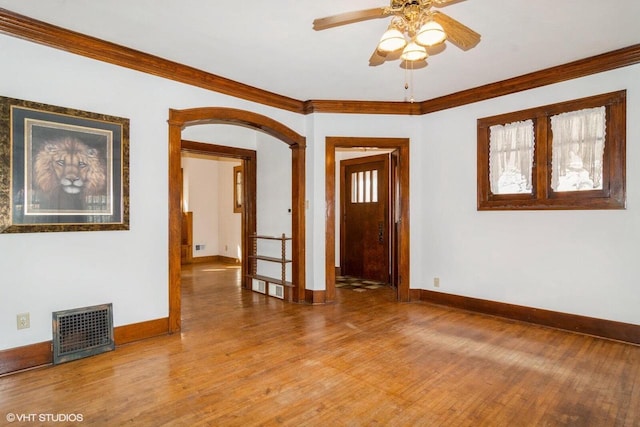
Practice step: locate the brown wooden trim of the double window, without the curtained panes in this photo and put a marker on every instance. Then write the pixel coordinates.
(542, 197)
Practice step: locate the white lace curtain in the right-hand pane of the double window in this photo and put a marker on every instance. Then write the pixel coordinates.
(578, 147)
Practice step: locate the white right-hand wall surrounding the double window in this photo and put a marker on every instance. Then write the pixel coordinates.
(581, 262)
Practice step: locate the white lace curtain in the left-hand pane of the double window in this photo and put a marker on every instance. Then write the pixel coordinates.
(511, 157)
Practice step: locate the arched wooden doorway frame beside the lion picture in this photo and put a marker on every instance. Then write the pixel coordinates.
(179, 119)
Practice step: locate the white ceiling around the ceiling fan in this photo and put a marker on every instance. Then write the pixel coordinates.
(271, 44)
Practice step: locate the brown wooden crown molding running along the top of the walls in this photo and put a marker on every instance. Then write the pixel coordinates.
(56, 37)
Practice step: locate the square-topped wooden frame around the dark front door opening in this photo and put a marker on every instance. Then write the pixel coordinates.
(402, 145)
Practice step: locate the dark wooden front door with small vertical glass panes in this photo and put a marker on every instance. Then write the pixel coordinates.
(365, 218)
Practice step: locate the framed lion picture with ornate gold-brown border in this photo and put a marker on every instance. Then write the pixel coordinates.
(62, 169)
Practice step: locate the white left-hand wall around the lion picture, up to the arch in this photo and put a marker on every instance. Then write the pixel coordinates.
(45, 272)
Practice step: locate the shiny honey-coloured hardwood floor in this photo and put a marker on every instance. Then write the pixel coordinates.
(244, 359)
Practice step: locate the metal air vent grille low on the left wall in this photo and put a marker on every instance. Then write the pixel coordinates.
(82, 332)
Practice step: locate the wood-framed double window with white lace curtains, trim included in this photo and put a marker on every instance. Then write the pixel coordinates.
(563, 156)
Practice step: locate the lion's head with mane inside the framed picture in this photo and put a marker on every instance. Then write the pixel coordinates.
(70, 166)
